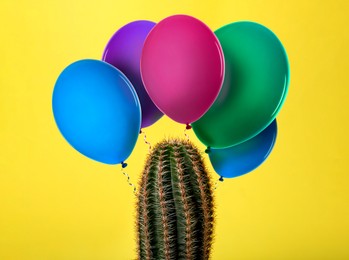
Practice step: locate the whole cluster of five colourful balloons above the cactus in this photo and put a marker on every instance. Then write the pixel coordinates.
(228, 85)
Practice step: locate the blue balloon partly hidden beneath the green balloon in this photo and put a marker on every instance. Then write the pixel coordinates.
(245, 157)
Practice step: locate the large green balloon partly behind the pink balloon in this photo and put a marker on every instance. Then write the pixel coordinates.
(254, 89)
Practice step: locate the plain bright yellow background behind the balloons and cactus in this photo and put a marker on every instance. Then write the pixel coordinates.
(57, 204)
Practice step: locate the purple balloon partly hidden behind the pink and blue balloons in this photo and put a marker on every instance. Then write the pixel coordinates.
(124, 52)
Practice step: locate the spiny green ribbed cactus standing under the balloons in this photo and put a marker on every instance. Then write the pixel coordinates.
(175, 212)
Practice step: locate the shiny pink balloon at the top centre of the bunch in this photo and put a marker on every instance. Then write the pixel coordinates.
(182, 67)
